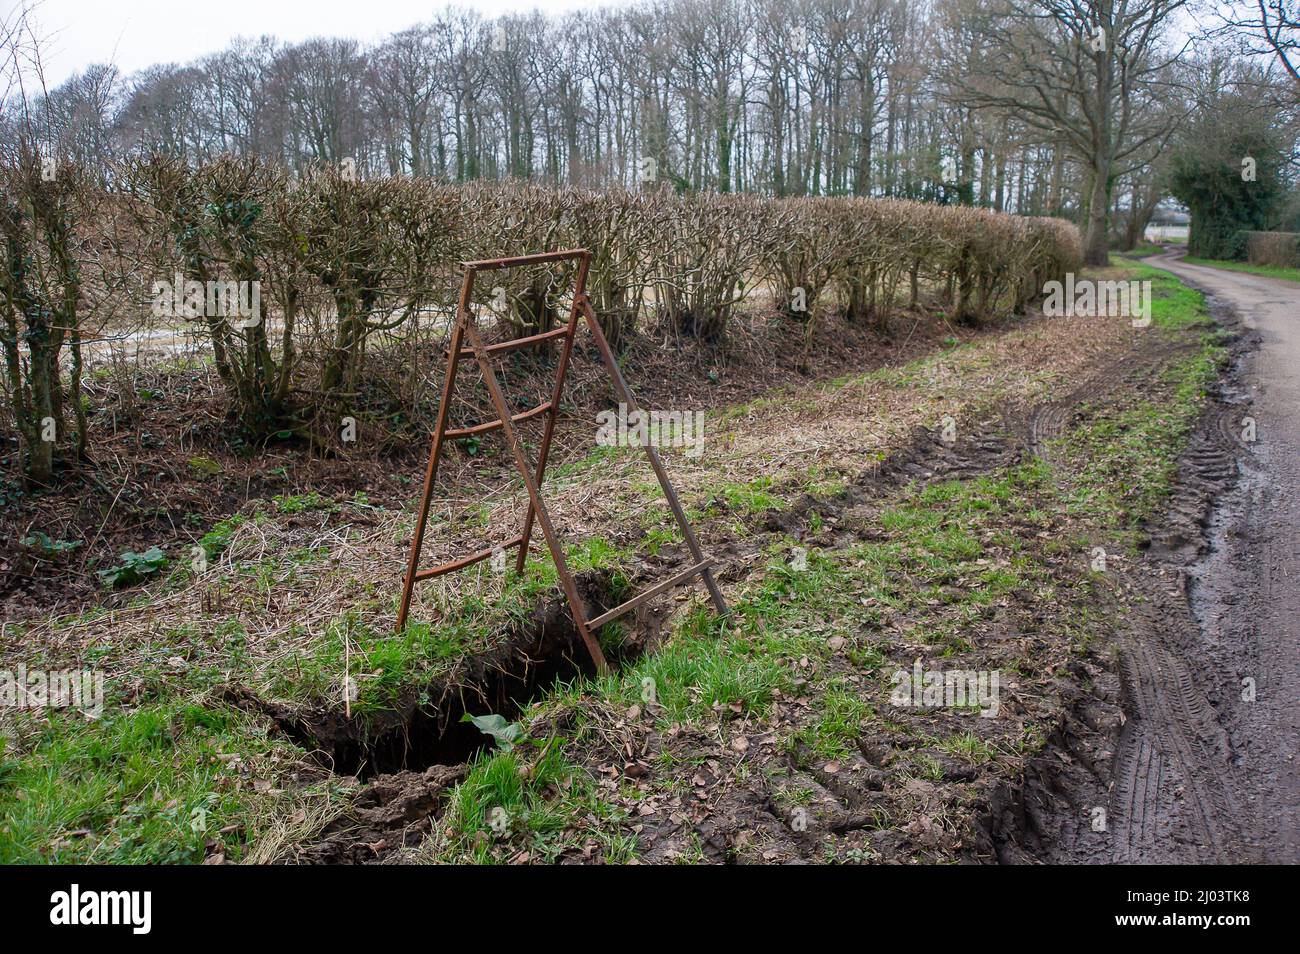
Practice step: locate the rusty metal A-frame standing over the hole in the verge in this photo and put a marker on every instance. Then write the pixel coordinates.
(466, 327)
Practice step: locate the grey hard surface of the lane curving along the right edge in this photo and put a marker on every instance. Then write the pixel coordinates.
(1242, 589)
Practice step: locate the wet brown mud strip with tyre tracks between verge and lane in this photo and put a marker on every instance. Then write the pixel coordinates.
(1177, 767)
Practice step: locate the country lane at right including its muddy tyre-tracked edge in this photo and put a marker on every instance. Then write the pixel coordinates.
(1204, 771)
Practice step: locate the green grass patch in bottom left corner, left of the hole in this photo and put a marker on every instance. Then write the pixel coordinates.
(144, 787)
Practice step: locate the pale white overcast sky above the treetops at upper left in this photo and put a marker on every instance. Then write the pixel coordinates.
(136, 34)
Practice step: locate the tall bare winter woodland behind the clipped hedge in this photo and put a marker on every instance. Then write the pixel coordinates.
(1051, 107)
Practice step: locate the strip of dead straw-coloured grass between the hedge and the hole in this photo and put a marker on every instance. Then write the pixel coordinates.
(297, 571)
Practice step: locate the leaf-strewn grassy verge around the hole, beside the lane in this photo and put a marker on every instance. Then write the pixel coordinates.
(976, 574)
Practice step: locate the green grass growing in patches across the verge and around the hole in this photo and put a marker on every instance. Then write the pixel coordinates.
(941, 558)
